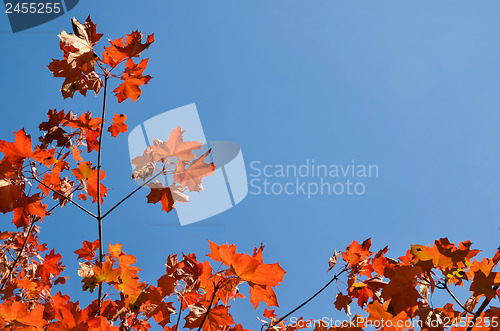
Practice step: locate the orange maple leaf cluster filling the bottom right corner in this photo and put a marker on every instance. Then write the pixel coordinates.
(395, 292)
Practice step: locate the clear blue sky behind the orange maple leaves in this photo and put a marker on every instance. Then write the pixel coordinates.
(409, 86)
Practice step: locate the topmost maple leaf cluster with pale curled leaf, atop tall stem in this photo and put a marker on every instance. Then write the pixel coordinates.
(78, 66)
